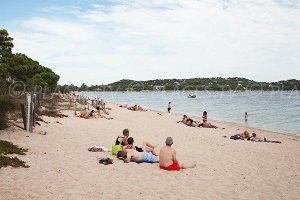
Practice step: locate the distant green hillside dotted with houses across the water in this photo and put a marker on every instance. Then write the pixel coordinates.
(215, 84)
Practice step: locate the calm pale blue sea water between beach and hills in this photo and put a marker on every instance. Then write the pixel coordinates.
(277, 111)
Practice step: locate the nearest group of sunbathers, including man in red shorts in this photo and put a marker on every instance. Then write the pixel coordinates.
(166, 158)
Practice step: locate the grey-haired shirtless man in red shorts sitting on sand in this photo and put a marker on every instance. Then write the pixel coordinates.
(168, 160)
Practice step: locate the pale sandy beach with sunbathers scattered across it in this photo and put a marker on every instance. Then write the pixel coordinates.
(61, 167)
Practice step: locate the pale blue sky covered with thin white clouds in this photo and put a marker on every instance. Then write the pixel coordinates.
(103, 41)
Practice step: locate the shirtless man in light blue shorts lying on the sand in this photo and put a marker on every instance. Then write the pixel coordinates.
(132, 155)
